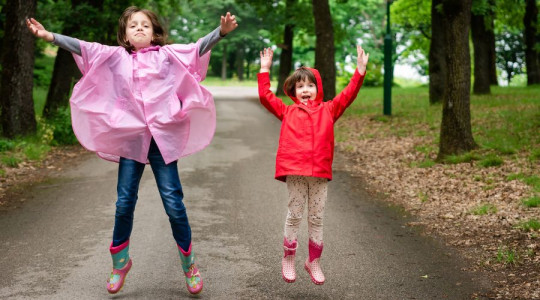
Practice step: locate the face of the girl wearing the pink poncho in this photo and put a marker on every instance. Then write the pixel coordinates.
(139, 31)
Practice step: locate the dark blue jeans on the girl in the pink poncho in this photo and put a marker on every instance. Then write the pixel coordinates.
(170, 190)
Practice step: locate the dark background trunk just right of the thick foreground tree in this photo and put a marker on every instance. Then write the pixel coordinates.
(481, 54)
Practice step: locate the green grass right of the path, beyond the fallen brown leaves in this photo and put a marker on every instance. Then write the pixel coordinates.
(504, 123)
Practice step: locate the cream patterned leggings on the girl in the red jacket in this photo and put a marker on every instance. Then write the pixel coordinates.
(312, 190)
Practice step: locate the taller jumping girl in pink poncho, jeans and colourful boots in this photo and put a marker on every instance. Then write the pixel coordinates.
(138, 103)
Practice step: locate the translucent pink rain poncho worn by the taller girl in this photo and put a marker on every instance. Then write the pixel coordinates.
(123, 100)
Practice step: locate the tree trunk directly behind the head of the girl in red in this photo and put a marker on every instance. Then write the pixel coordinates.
(324, 47)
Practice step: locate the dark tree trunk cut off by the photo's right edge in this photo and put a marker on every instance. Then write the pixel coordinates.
(531, 55)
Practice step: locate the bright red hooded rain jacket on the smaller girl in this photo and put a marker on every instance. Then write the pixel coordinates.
(306, 142)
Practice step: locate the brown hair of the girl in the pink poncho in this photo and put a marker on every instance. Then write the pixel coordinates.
(159, 37)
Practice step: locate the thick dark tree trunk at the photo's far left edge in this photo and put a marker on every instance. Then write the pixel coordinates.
(18, 117)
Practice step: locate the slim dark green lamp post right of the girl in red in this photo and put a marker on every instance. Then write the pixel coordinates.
(388, 69)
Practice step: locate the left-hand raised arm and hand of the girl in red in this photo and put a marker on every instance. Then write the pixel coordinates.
(267, 98)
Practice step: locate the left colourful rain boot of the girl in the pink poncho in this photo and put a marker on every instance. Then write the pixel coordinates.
(121, 266)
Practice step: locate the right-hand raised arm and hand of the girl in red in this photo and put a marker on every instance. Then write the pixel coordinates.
(349, 93)
